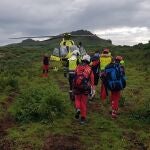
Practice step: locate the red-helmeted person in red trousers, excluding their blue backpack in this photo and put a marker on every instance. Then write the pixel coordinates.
(115, 94)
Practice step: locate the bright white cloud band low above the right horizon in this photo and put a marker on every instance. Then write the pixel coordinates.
(125, 35)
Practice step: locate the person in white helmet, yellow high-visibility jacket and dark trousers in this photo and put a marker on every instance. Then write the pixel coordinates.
(72, 63)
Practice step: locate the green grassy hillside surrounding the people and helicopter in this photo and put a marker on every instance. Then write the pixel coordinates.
(36, 113)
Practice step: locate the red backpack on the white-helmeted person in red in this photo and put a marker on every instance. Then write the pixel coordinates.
(81, 80)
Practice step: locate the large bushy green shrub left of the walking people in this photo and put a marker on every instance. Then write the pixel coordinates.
(38, 104)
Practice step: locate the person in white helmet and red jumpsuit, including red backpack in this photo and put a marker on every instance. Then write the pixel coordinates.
(83, 82)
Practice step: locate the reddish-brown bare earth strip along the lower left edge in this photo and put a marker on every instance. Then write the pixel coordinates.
(6, 122)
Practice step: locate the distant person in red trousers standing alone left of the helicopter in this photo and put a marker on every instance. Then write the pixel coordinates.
(45, 65)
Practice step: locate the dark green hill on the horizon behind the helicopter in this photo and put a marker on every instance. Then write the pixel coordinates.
(88, 42)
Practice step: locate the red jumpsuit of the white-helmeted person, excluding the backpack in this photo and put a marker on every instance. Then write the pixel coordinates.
(82, 97)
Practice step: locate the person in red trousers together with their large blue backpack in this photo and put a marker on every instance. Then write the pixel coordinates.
(115, 78)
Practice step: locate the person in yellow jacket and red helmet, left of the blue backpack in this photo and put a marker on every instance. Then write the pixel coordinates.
(105, 59)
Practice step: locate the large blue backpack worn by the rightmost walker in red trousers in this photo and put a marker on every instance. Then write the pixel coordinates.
(115, 78)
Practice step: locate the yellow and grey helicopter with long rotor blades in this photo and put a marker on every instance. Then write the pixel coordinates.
(66, 46)
